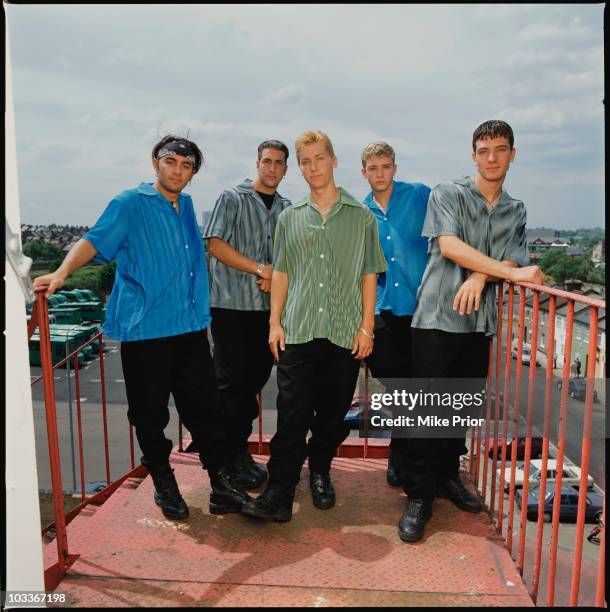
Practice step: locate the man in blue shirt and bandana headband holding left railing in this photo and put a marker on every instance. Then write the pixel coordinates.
(159, 309)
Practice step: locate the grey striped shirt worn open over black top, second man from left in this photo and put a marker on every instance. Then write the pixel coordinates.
(242, 220)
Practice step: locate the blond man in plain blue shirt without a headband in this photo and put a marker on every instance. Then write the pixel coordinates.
(400, 209)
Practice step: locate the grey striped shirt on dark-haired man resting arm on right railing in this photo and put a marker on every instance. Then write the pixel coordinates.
(458, 208)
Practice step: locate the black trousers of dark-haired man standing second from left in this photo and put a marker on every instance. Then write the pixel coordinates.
(243, 363)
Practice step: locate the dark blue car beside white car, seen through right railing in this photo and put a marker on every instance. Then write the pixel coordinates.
(568, 508)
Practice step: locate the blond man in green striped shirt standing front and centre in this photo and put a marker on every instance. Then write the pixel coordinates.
(326, 259)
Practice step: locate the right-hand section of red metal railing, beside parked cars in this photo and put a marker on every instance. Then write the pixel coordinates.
(503, 401)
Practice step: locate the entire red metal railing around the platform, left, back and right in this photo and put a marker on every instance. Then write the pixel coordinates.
(480, 442)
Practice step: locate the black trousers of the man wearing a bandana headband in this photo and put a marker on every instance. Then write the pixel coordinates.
(180, 365)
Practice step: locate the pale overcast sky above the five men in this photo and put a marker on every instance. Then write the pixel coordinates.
(96, 86)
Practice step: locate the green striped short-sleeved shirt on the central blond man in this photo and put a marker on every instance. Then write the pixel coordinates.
(325, 260)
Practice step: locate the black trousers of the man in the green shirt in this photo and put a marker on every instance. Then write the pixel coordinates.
(316, 383)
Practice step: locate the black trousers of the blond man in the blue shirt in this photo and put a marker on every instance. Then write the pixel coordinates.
(391, 358)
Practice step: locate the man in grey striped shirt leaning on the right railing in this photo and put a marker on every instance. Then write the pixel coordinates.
(476, 235)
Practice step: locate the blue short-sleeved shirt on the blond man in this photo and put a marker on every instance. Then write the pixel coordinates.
(406, 252)
